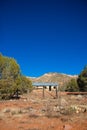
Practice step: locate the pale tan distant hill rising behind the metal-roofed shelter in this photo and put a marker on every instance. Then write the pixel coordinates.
(54, 77)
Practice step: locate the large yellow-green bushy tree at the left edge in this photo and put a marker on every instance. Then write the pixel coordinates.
(11, 78)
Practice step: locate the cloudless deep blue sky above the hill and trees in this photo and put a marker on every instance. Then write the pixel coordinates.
(45, 35)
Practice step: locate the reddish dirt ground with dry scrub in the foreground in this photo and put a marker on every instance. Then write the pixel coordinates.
(33, 112)
